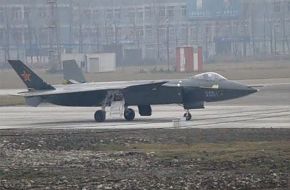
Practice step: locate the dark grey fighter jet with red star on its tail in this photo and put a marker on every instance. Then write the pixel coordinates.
(191, 93)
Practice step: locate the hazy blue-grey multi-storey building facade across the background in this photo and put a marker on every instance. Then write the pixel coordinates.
(143, 31)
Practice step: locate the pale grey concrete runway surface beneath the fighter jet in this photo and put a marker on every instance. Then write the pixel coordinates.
(269, 108)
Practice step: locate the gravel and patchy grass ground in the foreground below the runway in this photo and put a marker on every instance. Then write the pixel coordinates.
(145, 159)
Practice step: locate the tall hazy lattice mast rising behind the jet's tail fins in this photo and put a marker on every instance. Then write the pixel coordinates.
(54, 47)
